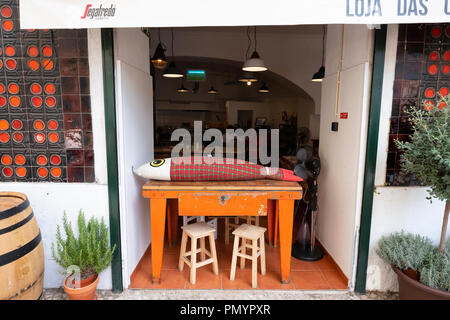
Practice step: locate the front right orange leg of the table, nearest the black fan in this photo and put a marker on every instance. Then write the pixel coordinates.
(286, 209)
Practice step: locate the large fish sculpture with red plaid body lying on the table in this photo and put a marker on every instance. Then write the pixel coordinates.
(210, 169)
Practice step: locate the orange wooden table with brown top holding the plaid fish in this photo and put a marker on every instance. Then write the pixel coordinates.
(222, 198)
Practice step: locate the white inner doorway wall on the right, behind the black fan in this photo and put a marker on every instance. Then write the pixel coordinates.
(342, 153)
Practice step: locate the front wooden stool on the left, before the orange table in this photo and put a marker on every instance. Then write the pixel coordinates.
(198, 230)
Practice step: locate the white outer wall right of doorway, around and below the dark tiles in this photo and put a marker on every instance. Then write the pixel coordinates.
(396, 208)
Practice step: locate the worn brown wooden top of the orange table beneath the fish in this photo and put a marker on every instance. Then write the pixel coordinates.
(247, 185)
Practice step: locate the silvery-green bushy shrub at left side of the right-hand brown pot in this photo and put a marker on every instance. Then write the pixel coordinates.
(404, 250)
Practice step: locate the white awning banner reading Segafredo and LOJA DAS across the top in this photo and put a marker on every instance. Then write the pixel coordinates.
(44, 14)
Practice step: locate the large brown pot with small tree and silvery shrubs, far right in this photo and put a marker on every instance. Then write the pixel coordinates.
(427, 156)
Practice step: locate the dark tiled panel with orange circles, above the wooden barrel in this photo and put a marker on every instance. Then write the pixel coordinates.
(45, 115)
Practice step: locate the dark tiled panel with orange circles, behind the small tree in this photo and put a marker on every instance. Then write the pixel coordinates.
(422, 70)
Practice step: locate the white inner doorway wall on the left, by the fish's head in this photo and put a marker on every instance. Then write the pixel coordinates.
(134, 102)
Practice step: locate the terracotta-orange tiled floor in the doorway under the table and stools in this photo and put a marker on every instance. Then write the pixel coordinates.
(319, 275)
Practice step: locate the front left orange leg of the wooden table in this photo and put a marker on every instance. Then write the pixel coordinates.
(157, 226)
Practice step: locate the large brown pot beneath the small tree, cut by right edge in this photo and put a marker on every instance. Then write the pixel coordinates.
(410, 289)
